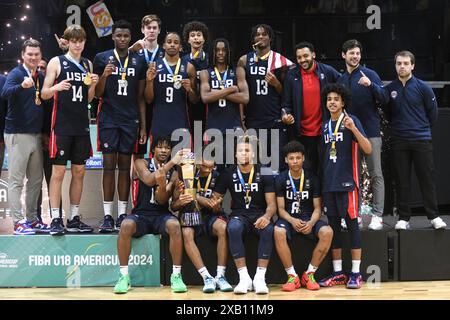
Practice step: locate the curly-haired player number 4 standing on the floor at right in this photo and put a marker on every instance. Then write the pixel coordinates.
(342, 134)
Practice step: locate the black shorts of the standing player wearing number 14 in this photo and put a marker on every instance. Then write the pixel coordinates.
(76, 149)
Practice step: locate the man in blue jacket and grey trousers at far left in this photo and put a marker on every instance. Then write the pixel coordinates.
(23, 127)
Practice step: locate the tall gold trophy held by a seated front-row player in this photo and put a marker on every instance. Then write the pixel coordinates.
(190, 214)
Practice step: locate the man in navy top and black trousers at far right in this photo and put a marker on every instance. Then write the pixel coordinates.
(413, 110)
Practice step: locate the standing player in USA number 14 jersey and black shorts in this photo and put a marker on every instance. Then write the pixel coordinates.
(70, 81)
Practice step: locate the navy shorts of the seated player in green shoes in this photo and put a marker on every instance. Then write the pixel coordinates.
(150, 224)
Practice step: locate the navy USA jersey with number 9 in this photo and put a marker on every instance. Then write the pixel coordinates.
(170, 103)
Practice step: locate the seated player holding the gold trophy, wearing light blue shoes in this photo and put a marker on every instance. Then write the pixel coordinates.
(214, 224)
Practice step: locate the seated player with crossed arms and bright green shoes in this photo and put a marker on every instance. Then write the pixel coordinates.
(151, 213)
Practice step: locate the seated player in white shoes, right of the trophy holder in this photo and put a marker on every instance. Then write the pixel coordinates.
(253, 206)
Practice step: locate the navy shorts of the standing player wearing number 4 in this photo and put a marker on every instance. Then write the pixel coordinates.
(341, 204)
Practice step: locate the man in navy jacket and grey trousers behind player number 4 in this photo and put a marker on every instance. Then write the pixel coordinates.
(367, 92)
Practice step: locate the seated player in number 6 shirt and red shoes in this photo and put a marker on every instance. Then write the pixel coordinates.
(299, 208)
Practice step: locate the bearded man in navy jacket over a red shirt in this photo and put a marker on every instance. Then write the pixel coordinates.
(302, 104)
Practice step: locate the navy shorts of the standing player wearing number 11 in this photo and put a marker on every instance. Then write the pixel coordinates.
(117, 139)
